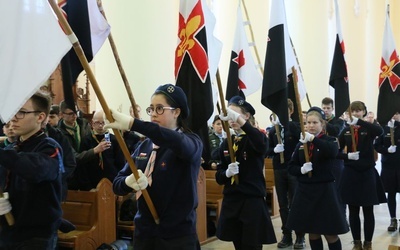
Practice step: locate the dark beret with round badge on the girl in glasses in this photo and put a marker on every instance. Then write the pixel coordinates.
(176, 94)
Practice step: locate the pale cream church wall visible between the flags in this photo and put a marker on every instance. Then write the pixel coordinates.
(145, 35)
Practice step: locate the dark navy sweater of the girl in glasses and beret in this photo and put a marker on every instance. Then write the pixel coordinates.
(174, 187)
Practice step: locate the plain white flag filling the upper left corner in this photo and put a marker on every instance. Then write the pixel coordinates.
(32, 44)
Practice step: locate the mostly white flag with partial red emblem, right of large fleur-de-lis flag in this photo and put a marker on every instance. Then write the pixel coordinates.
(244, 77)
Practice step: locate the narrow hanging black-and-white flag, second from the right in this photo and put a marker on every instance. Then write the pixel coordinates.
(338, 78)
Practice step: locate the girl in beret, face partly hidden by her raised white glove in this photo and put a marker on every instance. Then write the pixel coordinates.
(244, 217)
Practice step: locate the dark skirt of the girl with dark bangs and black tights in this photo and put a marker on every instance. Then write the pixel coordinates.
(361, 188)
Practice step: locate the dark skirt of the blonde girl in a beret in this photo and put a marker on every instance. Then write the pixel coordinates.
(316, 209)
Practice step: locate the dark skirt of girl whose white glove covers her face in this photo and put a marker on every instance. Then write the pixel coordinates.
(247, 220)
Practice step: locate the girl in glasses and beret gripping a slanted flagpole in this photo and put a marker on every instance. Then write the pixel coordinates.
(169, 162)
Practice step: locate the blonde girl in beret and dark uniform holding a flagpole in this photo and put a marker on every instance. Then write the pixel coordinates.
(316, 208)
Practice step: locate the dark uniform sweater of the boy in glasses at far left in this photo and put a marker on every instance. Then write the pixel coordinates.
(34, 187)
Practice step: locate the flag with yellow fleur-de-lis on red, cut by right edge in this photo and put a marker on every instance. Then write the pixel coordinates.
(389, 77)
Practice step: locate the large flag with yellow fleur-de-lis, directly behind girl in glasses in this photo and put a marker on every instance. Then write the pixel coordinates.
(196, 61)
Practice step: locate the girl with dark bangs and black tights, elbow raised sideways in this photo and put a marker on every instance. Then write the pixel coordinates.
(360, 185)
